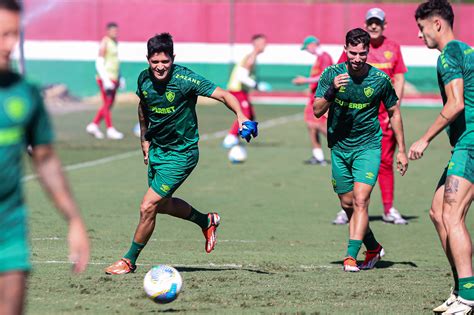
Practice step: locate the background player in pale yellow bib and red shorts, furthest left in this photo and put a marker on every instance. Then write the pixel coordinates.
(108, 80)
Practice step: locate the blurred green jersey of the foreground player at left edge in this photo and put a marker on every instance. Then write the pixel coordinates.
(23, 121)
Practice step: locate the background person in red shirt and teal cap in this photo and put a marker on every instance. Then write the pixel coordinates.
(315, 125)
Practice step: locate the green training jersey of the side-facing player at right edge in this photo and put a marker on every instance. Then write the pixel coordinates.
(457, 62)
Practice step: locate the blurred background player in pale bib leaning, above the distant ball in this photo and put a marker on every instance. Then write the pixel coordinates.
(242, 80)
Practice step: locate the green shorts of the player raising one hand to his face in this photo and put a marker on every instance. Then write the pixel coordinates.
(350, 167)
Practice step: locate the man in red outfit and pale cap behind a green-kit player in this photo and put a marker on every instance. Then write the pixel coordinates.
(385, 55)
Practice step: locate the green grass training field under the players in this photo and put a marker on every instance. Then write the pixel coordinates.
(277, 251)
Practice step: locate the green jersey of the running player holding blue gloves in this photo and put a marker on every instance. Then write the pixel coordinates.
(171, 107)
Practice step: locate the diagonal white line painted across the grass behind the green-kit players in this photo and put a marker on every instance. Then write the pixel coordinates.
(205, 137)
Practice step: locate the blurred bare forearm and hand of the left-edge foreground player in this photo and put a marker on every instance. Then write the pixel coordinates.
(48, 167)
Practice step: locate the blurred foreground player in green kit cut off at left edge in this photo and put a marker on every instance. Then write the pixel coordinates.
(24, 121)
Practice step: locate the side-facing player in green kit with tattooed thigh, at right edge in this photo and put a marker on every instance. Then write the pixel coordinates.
(454, 192)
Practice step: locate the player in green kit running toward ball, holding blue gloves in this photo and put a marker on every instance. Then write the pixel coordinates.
(169, 138)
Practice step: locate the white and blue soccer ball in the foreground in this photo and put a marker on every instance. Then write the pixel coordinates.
(162, 284)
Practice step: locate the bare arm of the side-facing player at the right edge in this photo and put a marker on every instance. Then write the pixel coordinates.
(451, 110)
